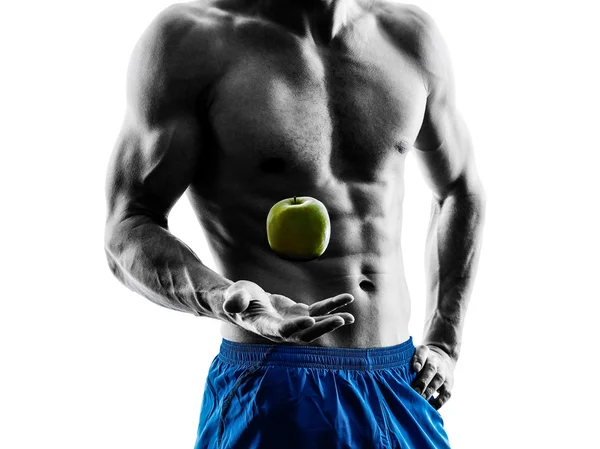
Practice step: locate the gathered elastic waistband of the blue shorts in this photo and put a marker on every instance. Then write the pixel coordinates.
(250, 354)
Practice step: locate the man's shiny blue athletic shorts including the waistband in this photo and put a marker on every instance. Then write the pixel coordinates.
(261, 396)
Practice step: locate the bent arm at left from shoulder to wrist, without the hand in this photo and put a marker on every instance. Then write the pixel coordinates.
(157, 154)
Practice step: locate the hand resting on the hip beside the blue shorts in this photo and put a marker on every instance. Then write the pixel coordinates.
(435, 374)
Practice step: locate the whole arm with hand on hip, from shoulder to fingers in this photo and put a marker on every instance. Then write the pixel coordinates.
(444, 151)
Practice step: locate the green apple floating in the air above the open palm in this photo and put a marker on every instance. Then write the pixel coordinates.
(298, 228)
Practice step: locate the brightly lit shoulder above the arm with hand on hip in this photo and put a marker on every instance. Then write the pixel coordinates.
(416, 32)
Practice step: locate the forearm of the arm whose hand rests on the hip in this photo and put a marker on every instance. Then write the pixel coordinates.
(452, 254)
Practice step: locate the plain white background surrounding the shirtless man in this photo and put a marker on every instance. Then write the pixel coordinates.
(88, 364)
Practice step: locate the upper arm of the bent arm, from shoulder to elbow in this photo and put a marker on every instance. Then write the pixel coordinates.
(157, 152)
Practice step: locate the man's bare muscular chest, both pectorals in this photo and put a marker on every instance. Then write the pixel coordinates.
(298, 111)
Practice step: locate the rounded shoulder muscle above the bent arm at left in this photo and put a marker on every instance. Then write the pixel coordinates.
(179, 54)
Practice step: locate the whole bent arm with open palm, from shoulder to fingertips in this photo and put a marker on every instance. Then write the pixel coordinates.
(157, 156)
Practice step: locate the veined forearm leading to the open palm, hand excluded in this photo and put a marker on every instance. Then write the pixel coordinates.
(151, 261)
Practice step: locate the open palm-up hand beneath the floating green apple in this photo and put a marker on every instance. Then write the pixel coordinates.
(281, 319)
